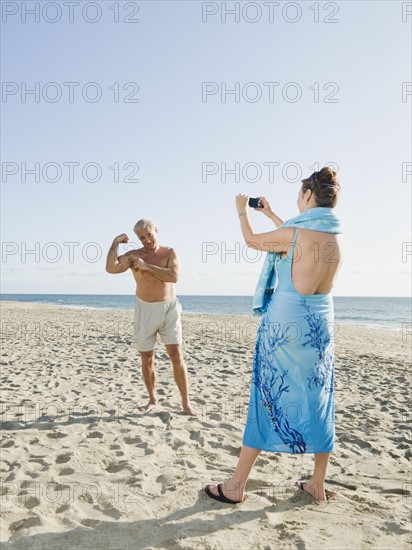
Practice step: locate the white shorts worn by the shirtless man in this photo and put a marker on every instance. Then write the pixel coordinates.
(151, 318)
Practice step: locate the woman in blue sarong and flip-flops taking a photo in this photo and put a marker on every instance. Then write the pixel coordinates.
(291, 406)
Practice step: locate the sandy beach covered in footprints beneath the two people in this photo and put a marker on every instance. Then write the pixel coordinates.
(83, 468)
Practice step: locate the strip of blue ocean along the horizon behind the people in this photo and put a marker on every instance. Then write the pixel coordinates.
(389, 313)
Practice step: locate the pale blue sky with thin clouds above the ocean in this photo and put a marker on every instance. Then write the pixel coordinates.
(167, 110)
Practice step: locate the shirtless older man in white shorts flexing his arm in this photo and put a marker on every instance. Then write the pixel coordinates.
(156, 270)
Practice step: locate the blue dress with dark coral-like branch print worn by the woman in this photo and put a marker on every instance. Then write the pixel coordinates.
(291, 407)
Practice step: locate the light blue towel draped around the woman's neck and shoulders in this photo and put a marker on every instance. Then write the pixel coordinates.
(317, 219)
